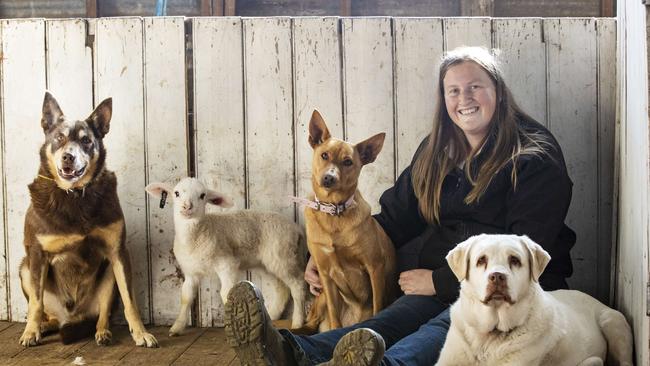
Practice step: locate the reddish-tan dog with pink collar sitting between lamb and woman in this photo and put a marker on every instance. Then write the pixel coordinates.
(354, 257)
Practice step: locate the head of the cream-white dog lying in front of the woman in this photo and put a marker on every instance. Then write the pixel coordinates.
(498, 269)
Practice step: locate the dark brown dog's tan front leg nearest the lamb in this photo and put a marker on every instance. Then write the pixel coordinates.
(122, 267)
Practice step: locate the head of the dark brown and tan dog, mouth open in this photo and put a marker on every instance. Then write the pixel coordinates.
(73, 152)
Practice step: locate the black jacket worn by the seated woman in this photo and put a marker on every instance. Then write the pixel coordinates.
(537, 208)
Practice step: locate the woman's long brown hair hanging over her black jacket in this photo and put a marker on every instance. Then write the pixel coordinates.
(447, 146)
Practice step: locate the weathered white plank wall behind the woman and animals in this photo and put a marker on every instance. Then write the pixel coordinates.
(234, 109)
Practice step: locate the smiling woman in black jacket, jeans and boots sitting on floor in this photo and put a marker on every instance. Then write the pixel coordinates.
(486, 167)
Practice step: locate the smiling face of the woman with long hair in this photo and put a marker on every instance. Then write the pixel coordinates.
(470, 97)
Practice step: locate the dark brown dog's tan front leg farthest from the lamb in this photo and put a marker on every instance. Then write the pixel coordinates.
(34, 288)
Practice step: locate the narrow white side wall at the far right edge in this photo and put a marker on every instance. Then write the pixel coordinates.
(632, 270)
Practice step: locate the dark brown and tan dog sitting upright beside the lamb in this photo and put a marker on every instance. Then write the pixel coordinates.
(75, 235)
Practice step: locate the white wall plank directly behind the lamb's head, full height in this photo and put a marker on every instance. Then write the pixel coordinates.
(166, 151)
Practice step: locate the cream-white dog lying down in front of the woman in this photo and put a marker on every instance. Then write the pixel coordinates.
(503, 317)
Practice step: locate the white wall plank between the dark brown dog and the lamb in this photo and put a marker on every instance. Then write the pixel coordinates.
(119, 74)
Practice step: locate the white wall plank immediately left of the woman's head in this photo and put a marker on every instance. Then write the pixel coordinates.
(418, 50)
